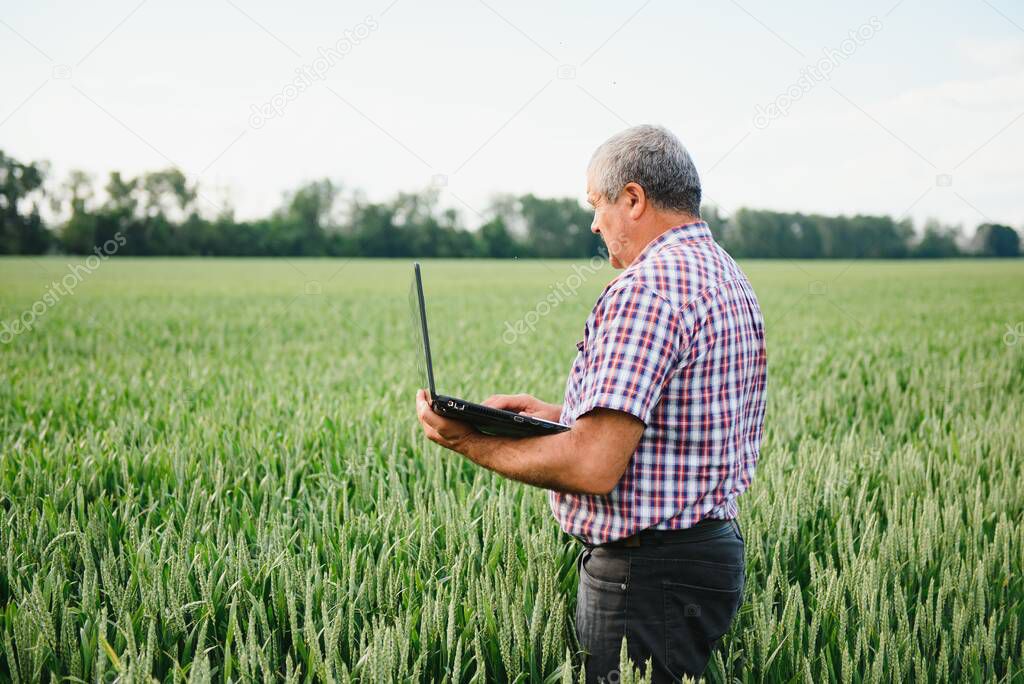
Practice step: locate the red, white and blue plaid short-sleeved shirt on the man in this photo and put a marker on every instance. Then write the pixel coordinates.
(677, 340)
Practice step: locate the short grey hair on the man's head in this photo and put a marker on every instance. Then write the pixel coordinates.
(653, 158)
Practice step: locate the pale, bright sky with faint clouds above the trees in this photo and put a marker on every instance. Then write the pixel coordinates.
(911, 109)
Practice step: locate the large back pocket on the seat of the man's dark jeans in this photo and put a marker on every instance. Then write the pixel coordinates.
(696, 618)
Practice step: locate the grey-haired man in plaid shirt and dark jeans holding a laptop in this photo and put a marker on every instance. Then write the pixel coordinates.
(666, 401)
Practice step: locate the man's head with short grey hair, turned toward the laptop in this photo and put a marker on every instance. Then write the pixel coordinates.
(642, 183)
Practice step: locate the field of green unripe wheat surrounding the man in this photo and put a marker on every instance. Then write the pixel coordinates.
(206, 474)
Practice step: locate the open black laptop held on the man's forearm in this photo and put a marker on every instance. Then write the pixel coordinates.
(487, 420)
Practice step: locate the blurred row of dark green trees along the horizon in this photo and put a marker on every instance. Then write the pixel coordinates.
(162, 213)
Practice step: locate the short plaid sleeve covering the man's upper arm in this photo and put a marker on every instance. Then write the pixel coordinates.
(631, 354)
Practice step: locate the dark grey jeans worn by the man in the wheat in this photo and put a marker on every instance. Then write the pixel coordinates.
(672, 602)
